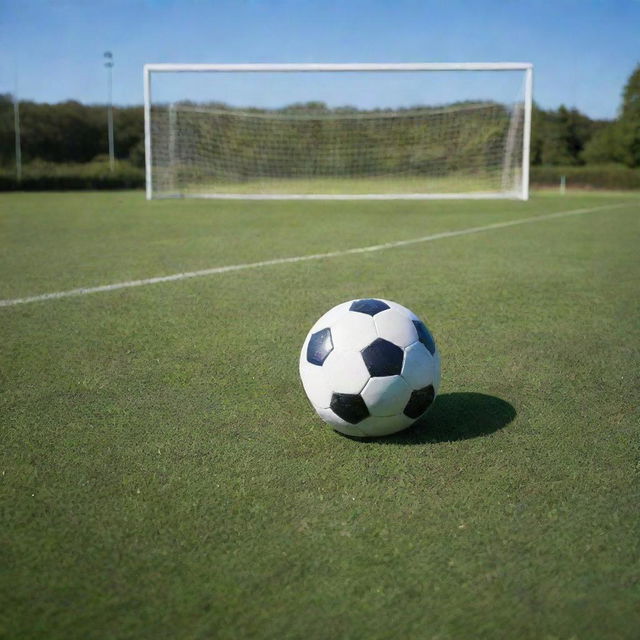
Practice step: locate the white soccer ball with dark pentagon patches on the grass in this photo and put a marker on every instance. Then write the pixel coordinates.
(370, 367)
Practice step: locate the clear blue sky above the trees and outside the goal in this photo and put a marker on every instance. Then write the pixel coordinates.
(583, 50)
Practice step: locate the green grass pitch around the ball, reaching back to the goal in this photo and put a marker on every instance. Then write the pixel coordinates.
(163, 476)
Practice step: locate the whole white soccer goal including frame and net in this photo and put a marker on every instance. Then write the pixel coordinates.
(338, 131)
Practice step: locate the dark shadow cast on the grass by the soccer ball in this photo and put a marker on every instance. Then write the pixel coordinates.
(455, 416)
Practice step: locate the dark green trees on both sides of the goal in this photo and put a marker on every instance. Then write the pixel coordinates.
(70, 132)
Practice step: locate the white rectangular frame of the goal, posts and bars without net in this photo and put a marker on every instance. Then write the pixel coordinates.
(522, 193)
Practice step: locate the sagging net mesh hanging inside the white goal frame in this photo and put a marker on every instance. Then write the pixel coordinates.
(213, 148)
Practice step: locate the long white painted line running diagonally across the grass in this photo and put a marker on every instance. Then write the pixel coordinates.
(316, 256)
